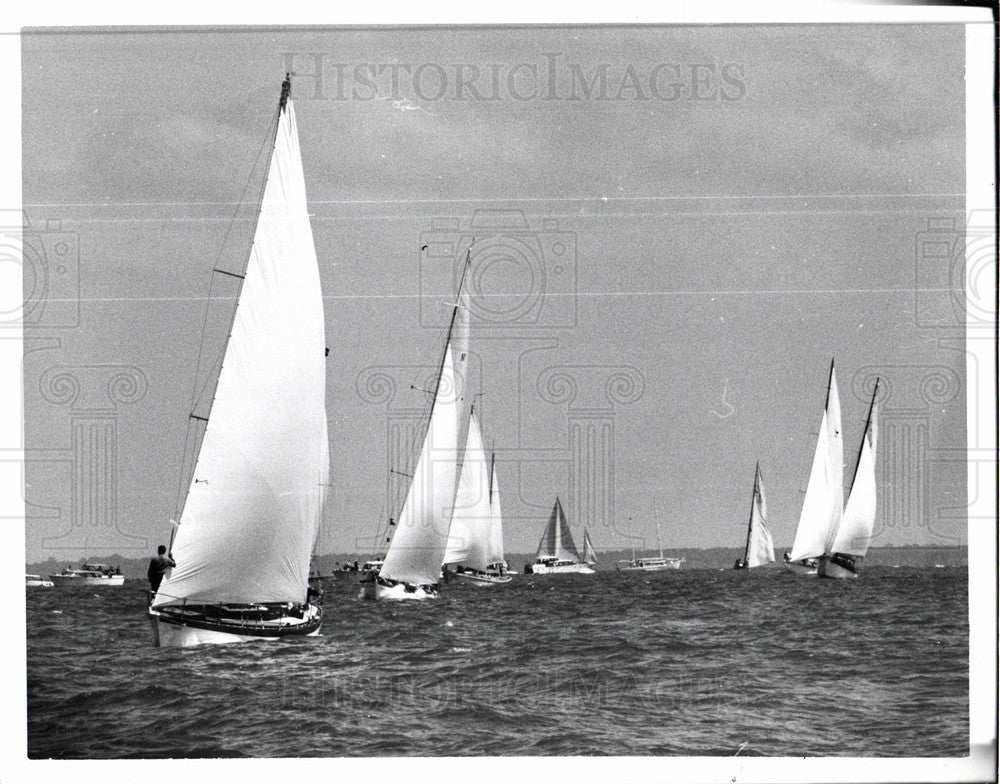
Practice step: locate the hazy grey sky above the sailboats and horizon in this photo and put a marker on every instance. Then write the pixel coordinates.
(677, 229)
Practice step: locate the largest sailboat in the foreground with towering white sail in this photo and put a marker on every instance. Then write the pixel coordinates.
(253, 507)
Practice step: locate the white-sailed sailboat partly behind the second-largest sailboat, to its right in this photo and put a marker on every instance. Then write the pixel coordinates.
(475, 541)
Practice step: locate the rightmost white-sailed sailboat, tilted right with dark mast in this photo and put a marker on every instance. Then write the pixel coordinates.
(850, 540)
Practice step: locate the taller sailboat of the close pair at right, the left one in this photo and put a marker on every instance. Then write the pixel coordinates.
(823, 504)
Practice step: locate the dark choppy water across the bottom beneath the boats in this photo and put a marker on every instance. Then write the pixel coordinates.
(673, 663)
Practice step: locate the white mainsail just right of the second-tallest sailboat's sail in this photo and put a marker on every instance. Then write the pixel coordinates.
(472, 521)
